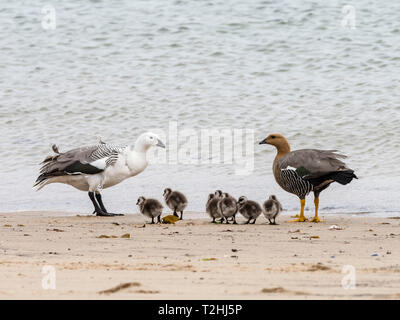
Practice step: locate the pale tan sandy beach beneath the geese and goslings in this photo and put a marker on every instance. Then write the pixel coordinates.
(194, 259)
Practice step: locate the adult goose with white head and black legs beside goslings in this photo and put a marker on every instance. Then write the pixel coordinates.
(94, 168)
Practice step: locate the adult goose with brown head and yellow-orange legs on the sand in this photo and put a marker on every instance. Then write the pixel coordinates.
(302, 171)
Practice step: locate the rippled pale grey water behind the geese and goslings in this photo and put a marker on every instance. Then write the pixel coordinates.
(118, 68)
